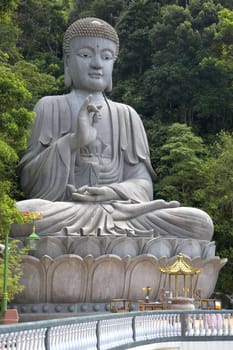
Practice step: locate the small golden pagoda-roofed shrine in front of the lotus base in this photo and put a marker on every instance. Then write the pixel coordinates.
(181, 268)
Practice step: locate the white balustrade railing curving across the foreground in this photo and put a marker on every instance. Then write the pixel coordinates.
(112, 331)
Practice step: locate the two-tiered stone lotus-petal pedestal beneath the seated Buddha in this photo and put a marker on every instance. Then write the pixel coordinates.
(97, 269)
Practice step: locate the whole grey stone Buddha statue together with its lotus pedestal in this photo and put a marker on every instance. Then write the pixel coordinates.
(87, 170)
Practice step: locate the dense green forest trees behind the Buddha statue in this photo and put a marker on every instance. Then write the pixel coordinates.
(175, 67)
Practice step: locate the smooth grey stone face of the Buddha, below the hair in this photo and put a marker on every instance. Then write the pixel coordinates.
(90, 63)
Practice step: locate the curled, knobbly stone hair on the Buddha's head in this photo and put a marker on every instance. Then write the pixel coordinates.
(89, 27)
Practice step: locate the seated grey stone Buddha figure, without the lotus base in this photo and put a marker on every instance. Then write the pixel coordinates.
(87, 165)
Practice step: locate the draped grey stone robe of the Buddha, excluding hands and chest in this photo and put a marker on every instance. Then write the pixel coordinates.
(49, 165)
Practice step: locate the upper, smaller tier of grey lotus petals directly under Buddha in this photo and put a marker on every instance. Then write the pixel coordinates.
(122, 246)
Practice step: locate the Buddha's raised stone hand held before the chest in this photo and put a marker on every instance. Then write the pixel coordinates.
(87, 117)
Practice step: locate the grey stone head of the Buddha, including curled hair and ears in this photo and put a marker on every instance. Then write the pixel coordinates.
(90, 48)
